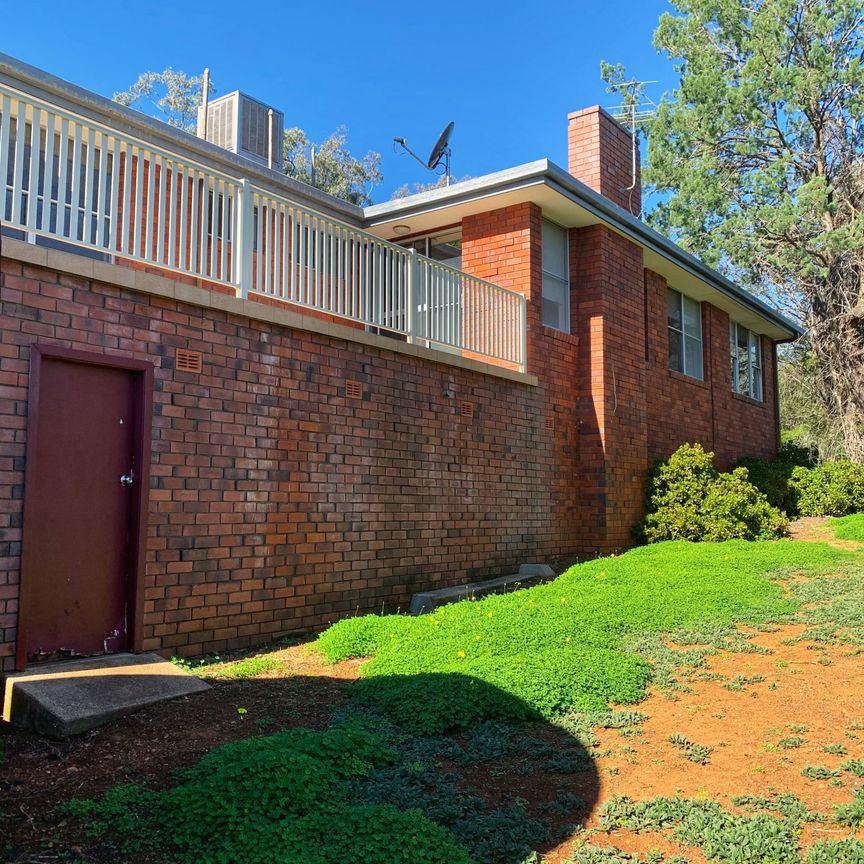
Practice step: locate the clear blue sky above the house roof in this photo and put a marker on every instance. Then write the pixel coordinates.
(506, 73)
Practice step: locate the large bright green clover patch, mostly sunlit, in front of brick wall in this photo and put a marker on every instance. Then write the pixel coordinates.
(563, 646)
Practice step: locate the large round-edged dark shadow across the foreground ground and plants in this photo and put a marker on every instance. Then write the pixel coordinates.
(501, 783)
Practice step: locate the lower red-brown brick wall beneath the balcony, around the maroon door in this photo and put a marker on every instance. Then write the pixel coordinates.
(277, 503)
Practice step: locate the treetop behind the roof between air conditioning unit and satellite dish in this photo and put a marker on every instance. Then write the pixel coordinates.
(336, 170)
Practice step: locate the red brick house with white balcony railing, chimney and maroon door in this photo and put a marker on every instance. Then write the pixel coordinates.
(233, 406)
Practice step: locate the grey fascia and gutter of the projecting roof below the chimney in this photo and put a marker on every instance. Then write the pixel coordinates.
(548, 173)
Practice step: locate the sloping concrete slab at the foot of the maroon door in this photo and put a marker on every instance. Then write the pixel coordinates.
(72, 696)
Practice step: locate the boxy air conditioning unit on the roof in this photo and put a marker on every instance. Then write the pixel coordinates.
(243, 125)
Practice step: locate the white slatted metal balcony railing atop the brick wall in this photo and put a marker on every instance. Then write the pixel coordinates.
(76, 180)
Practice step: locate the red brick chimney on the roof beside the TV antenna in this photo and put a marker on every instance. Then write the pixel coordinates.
(600, 154)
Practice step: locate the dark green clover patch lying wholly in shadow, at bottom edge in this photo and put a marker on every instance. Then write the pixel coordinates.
(274, 799)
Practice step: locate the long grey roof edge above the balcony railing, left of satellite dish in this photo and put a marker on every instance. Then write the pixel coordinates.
(77, 100)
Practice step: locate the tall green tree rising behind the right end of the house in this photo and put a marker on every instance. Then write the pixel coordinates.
(758, 157)
